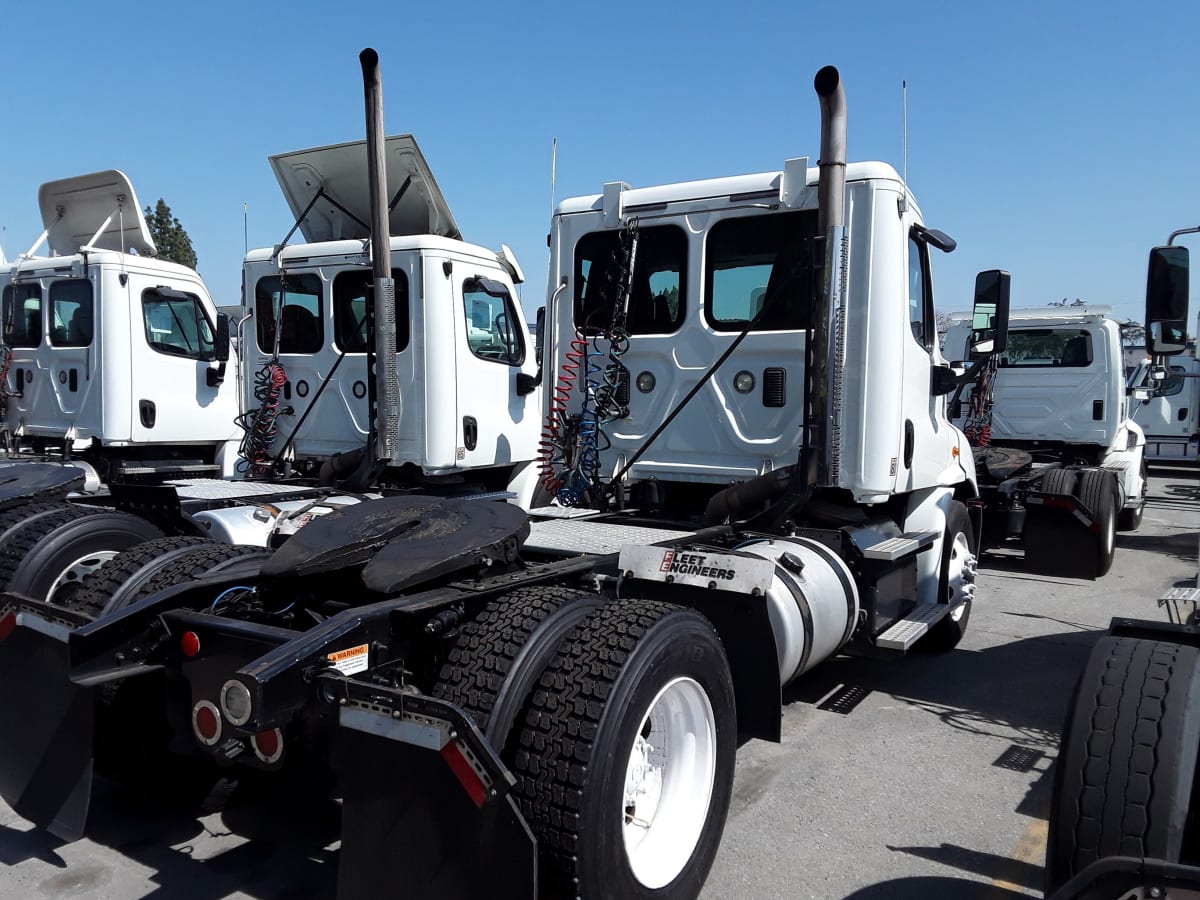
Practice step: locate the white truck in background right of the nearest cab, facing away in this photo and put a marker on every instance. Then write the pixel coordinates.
(1061, 463)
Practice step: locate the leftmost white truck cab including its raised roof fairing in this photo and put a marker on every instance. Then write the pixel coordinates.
(110, 355)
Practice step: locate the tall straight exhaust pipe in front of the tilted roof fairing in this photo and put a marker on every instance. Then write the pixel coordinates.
(383, 386)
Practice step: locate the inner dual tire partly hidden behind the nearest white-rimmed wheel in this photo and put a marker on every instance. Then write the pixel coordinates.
(499, 656)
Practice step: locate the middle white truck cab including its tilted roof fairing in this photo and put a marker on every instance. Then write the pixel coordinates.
(465, 364)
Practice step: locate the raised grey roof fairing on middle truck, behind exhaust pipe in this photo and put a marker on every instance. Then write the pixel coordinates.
(341, 171)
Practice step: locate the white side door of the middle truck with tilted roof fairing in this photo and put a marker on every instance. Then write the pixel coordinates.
(497, 425)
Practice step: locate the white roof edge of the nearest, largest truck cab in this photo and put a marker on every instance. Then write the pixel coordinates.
(783, 185)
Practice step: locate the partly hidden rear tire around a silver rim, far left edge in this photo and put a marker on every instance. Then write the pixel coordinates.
(37, 556)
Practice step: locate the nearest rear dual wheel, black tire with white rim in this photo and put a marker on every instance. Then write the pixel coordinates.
(626, 761)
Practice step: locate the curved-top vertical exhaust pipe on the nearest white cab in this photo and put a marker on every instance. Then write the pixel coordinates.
(827, 335)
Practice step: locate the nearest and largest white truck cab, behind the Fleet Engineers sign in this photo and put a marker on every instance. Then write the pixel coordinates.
(728, 267)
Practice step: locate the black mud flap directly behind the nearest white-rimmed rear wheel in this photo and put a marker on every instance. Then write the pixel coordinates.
(427, 811)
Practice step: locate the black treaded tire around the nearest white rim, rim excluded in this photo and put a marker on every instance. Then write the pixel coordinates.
(580, 733)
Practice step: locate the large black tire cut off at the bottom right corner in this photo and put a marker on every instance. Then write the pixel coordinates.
(1124, 781)
